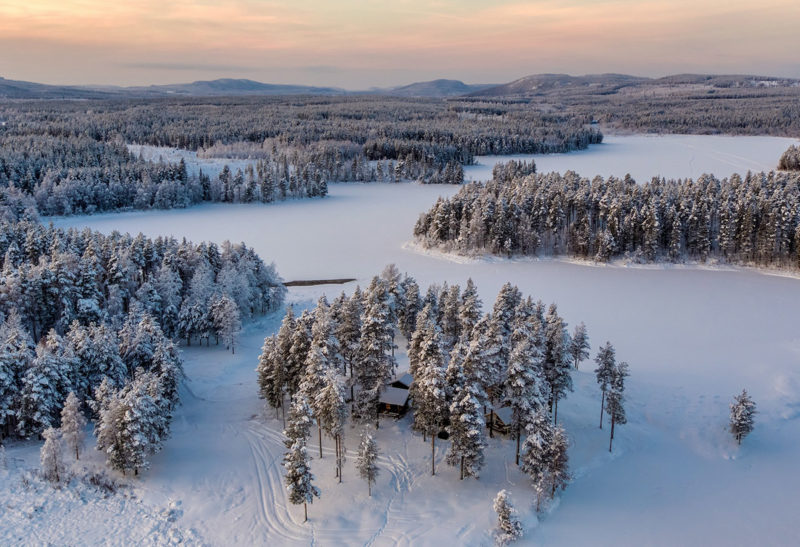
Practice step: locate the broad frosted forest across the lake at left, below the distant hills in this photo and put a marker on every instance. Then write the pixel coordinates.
(71, 157)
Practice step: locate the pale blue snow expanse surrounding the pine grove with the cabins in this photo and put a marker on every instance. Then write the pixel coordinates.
(694, 337)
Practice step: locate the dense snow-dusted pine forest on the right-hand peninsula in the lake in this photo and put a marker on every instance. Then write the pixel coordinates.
(750, 220)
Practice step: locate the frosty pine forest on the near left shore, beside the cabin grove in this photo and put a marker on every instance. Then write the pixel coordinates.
(98, 317)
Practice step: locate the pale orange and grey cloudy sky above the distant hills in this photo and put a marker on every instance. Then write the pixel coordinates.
(370, 43)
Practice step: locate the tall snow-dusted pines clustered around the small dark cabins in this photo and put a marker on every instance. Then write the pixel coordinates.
(335, 361)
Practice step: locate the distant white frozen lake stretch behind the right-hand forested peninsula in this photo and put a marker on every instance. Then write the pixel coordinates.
(646, 156)
